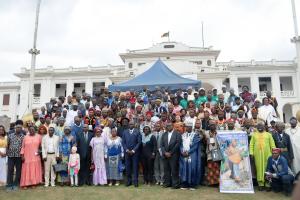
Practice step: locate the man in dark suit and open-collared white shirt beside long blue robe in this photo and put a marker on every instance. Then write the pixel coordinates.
(170, 148)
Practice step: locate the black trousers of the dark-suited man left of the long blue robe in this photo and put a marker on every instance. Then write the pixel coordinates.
(171, 171)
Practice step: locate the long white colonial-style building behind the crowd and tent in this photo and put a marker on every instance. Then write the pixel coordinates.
(191, 62)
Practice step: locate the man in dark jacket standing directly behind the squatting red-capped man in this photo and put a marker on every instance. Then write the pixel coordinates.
(282, 140)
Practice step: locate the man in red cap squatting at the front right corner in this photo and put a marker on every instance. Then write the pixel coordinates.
(278, 173)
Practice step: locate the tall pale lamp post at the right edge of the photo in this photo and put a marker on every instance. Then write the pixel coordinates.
(296, 40)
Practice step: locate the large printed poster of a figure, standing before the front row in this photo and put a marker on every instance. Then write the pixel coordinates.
(235, 170)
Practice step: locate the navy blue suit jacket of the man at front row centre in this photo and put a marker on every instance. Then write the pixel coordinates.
(132, 141)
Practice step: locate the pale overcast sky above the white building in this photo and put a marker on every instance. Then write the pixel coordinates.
(79, 33)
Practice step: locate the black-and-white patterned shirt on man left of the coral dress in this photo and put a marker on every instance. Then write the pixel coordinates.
(14, 144)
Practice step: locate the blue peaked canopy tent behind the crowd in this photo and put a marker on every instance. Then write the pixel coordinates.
(158, 75)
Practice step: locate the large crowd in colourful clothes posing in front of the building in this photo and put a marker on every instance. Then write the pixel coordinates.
(168, 136)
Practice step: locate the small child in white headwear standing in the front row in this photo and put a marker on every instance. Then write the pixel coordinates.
(74, 166)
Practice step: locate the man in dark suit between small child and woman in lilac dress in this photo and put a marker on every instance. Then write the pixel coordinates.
(83, 145)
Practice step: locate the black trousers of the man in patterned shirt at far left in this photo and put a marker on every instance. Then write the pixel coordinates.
(12, 163)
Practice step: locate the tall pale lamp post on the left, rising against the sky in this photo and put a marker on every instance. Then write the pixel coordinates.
(34, 52)
